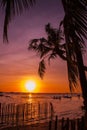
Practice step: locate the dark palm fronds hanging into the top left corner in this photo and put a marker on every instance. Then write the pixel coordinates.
(12, 8)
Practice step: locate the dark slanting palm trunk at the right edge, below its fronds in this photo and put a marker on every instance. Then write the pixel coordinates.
(82, 74)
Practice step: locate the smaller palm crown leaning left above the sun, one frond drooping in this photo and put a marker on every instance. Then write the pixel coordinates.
(49, 48)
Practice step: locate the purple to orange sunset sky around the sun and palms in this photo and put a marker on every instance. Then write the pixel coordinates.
(17, 64)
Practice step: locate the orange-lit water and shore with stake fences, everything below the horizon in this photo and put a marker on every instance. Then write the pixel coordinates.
(40, 112)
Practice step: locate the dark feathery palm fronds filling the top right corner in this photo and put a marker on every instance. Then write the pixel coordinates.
(76, 10)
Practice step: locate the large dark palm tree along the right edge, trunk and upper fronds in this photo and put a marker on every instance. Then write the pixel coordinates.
(75, 30)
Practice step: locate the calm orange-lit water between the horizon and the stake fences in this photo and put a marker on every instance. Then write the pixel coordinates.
(64, 105)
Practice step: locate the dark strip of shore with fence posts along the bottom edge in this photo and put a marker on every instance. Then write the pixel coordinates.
(56, 124)
